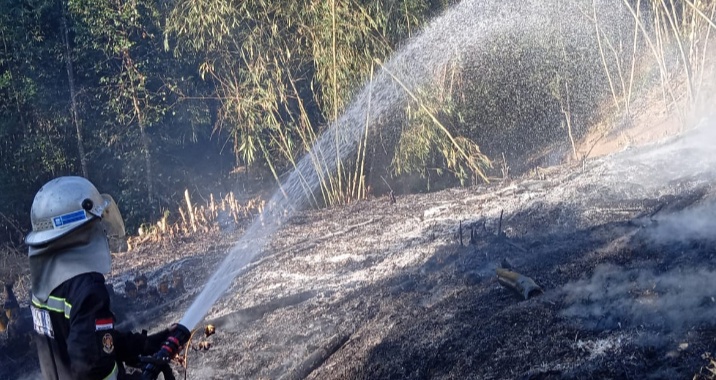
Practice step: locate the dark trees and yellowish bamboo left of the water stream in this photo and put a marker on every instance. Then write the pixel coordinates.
(142, 96)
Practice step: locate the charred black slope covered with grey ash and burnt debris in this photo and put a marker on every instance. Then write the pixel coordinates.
(624, 248)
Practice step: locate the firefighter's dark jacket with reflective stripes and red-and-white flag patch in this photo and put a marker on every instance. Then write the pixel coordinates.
(76, 338)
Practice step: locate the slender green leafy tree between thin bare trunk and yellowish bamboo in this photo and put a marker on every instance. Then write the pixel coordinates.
(121, 42)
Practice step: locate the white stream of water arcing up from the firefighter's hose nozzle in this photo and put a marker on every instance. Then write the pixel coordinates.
(394, 85)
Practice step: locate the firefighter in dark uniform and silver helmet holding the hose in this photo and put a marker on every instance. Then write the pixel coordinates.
(69, 255)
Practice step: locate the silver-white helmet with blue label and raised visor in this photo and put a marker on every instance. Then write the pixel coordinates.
(66, 203)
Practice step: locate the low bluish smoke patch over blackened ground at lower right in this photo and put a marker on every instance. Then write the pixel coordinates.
(672, 301)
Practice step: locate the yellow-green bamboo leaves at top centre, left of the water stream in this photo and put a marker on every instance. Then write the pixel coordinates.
(284, 70)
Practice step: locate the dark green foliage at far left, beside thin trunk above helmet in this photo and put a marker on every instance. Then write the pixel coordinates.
(33, 134)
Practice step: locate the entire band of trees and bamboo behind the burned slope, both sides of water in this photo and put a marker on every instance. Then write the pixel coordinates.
(149, 97)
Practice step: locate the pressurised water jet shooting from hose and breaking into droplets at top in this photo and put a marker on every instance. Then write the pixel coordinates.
(464, 36)
